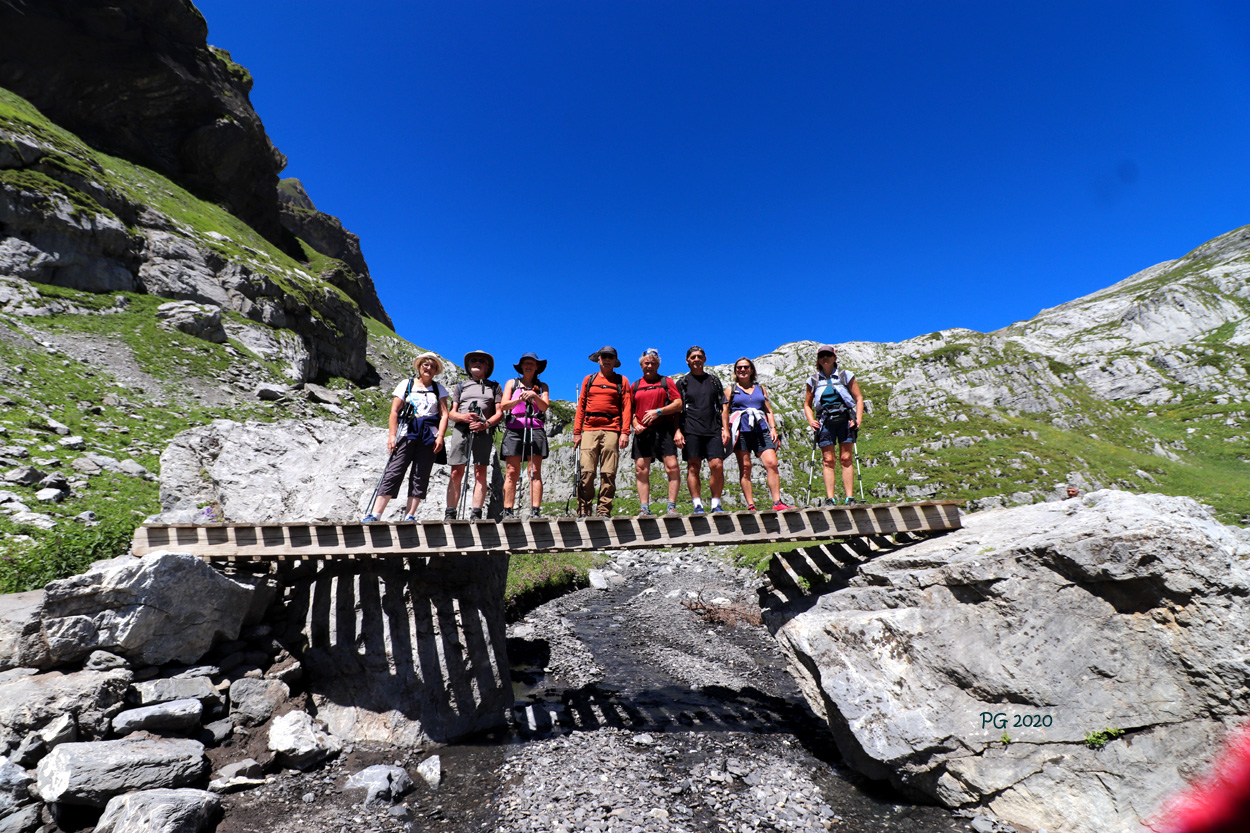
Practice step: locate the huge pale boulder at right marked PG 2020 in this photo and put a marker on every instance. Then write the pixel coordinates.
(988, 667)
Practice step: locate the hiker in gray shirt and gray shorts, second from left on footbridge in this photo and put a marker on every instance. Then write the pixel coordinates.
(474, 415)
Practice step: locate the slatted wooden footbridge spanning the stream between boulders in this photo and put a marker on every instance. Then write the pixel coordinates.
(299, 542)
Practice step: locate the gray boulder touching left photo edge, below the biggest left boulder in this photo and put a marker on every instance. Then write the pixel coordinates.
(31, 701)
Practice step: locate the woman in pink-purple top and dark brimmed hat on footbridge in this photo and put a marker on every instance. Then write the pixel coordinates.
(526, 402)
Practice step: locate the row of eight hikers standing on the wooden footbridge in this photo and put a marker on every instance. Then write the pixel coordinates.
(694, 415)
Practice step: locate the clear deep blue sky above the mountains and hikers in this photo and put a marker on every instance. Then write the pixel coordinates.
(551, 177)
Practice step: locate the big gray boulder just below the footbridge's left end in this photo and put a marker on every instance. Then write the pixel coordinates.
(152, 611)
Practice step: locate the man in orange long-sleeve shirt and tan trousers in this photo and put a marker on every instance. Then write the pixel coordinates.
(601, 431)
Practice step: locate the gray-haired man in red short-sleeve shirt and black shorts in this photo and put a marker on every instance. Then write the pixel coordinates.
(656, 407)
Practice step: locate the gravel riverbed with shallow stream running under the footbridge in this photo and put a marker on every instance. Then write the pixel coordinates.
(634, 715)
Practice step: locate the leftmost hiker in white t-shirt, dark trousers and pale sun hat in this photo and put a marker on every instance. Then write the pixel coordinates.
(422, 440)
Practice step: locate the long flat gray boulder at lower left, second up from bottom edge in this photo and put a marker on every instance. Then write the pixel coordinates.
(92, 774)
